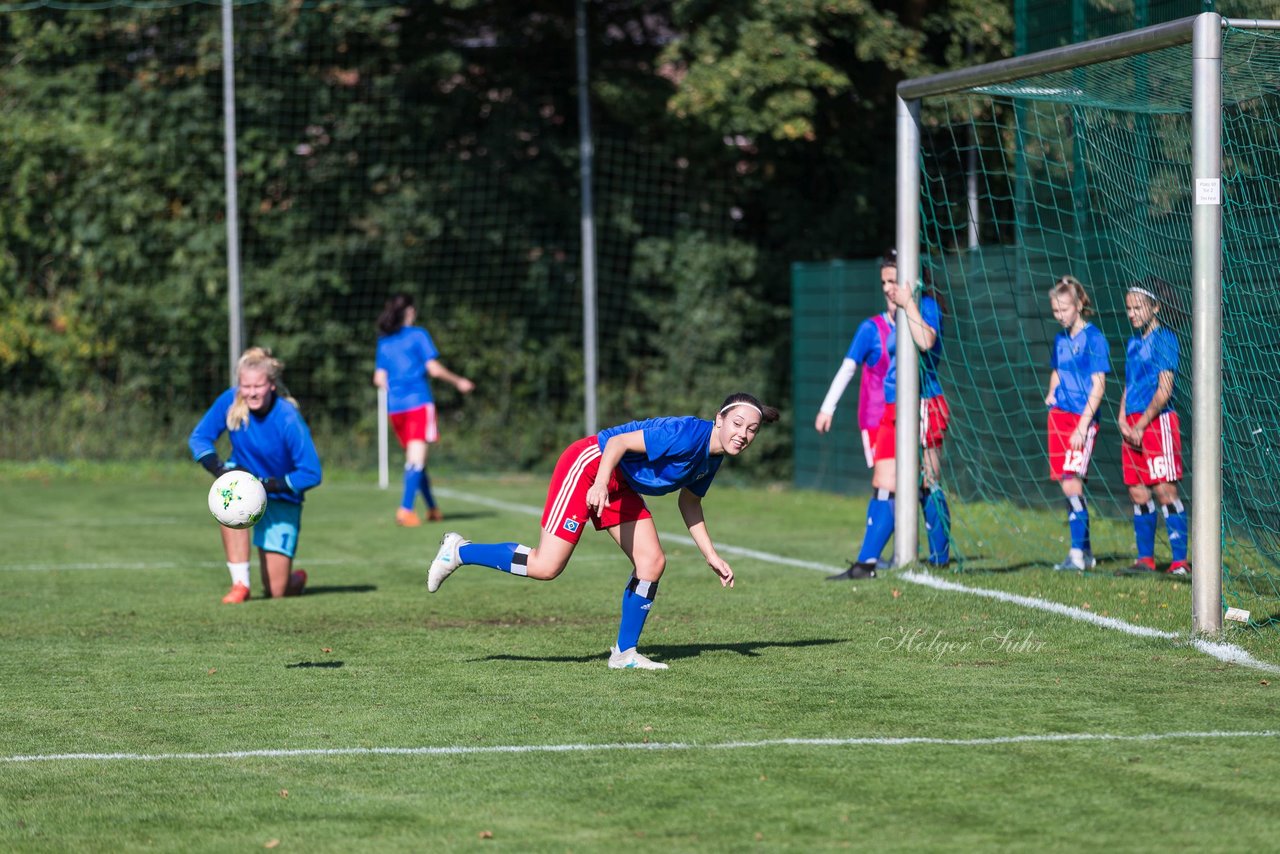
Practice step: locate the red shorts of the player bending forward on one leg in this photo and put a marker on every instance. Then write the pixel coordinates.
(566, 514)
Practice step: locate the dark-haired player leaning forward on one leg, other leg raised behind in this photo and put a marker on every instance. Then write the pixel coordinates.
(602, 481)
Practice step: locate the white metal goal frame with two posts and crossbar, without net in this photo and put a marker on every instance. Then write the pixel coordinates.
(1205, 34)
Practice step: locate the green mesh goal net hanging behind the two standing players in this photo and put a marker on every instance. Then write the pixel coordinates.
(1089, 172)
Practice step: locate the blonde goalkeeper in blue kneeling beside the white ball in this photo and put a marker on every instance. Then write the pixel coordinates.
(272, 442)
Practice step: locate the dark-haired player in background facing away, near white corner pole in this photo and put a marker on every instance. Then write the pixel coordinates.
(406, 358)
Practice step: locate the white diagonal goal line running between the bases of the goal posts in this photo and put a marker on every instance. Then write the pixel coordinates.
(1229, 654)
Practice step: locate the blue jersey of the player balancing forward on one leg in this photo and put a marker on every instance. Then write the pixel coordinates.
(678, 455)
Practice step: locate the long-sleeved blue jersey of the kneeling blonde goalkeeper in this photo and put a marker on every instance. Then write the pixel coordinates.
(276, 445)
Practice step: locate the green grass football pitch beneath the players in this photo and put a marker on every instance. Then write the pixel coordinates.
(140, 714)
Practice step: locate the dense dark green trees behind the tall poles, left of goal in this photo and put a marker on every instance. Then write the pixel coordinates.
(435, 148)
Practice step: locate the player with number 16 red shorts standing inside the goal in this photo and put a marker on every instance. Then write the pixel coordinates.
(1153, 447)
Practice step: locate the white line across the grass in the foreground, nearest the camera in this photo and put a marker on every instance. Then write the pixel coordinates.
(1057, 738)
